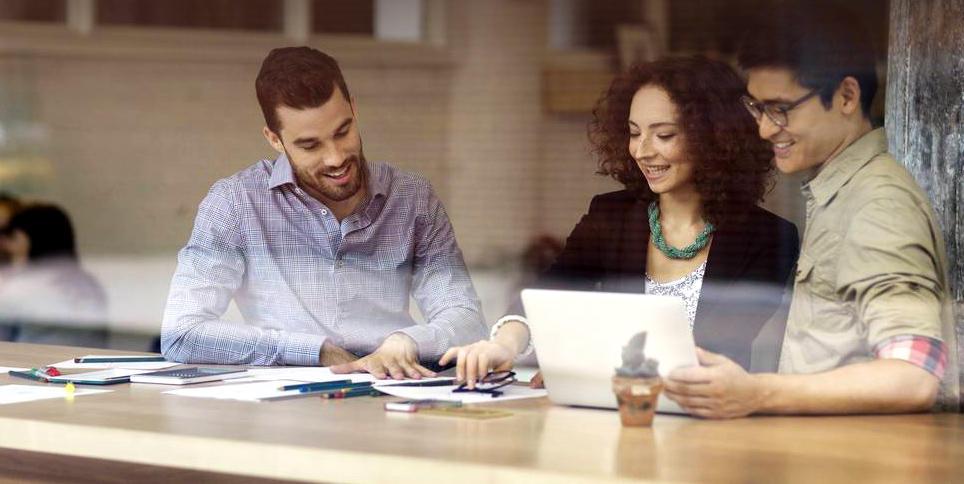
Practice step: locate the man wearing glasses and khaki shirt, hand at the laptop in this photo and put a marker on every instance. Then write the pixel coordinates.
(870, 328)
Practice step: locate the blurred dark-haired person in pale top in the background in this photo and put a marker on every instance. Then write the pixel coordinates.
(45, 295)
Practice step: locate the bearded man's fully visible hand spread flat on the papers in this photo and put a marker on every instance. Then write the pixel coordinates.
(396, 357)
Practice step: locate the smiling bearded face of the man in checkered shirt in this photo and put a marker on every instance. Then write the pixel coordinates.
(324, 148)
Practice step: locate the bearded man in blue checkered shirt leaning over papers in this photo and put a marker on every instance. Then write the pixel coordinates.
(320, 249)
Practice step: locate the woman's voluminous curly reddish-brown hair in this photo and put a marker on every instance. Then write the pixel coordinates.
(732, 164)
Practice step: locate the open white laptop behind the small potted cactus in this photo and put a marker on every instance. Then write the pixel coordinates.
(579, 338)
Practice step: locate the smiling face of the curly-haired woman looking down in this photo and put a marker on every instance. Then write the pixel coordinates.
(656, 142)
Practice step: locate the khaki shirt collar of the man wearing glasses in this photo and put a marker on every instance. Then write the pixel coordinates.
(844, 166)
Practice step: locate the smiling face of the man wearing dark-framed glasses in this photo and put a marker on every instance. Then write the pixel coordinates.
(813, 134)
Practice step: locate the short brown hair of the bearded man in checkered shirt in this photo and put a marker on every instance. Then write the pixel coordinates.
(297, 77)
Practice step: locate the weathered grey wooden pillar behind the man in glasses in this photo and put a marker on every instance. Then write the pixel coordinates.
(925, 115)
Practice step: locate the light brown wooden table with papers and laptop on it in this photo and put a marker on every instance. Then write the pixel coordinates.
(137, 434)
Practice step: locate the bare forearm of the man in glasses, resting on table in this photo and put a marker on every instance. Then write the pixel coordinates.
(879, 386)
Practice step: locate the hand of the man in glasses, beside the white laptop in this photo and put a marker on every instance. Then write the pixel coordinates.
(719, 388)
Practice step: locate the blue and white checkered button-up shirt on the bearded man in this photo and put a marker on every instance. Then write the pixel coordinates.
(300, 277)
